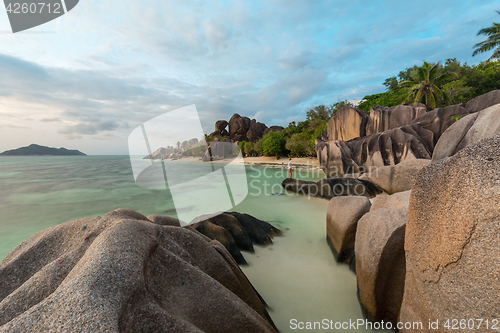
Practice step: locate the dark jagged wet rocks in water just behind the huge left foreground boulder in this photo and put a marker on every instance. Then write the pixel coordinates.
(236, 232)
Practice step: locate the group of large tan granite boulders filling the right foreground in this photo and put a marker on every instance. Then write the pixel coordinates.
(426, 250)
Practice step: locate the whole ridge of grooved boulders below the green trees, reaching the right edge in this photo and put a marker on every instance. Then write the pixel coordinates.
(356, 141)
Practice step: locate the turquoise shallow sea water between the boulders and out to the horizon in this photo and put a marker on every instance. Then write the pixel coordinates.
(297, 275)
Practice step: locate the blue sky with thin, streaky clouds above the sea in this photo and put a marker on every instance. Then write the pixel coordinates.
(87, 79)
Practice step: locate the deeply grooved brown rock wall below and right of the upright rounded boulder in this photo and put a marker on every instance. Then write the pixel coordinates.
(414, 138)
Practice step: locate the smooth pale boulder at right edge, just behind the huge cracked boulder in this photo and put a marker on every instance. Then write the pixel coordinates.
(470, 129)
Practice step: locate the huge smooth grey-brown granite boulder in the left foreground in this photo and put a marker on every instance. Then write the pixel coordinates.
(124, 273)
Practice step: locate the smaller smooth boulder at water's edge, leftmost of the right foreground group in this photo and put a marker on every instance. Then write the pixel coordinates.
(342, 218)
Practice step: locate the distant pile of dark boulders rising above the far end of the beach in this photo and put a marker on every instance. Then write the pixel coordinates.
(241, 129)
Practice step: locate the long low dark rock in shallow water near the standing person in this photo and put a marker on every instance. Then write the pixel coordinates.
(331, 187)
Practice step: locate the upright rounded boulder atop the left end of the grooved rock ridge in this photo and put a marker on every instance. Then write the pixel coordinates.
(347, 123)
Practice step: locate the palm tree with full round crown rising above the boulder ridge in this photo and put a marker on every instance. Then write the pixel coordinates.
(423, 85)
